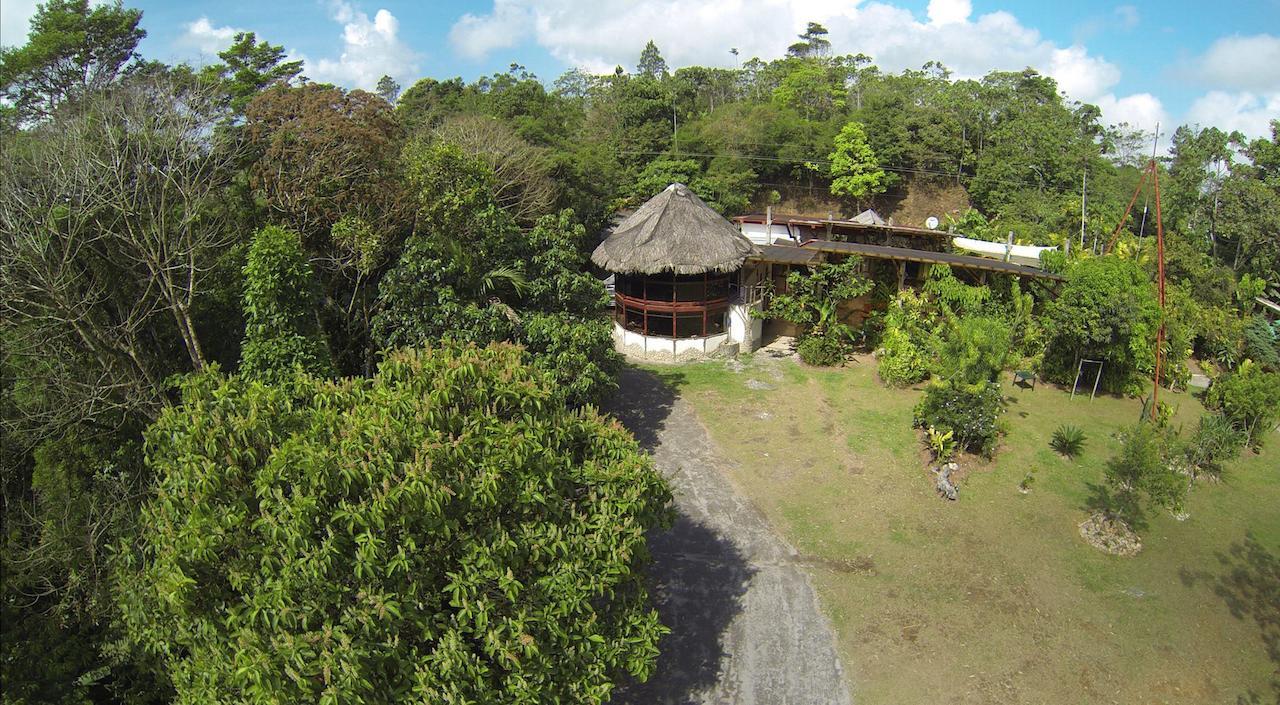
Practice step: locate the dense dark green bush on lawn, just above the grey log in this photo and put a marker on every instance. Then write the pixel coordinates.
(970, 413)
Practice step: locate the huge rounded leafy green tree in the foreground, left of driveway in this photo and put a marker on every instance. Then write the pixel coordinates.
(446, 532)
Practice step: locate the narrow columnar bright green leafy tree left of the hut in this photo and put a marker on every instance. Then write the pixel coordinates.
(281, 303)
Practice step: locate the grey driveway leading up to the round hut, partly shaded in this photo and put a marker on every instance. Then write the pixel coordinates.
(746, 621)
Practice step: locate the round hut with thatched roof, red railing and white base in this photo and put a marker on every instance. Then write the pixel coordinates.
(679, 281)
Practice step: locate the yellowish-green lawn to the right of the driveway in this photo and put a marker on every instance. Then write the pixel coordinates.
(996, 598)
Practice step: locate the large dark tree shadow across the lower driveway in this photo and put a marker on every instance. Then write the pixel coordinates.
(698, 583)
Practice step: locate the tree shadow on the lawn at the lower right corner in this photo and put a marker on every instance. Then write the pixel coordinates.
(1250, 585)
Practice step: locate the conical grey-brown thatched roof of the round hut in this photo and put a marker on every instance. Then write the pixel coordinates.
(674, 232)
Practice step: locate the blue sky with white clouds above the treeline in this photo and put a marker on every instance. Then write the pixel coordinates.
(1173, 62)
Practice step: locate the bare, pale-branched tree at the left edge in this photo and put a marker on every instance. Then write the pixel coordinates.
(109, 226)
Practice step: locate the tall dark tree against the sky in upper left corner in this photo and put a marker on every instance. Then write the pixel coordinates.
(72, 51)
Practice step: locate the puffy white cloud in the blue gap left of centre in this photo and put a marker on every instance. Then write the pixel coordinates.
(371, 49)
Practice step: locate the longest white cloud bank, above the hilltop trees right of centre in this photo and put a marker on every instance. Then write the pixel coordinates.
(598, 35)
